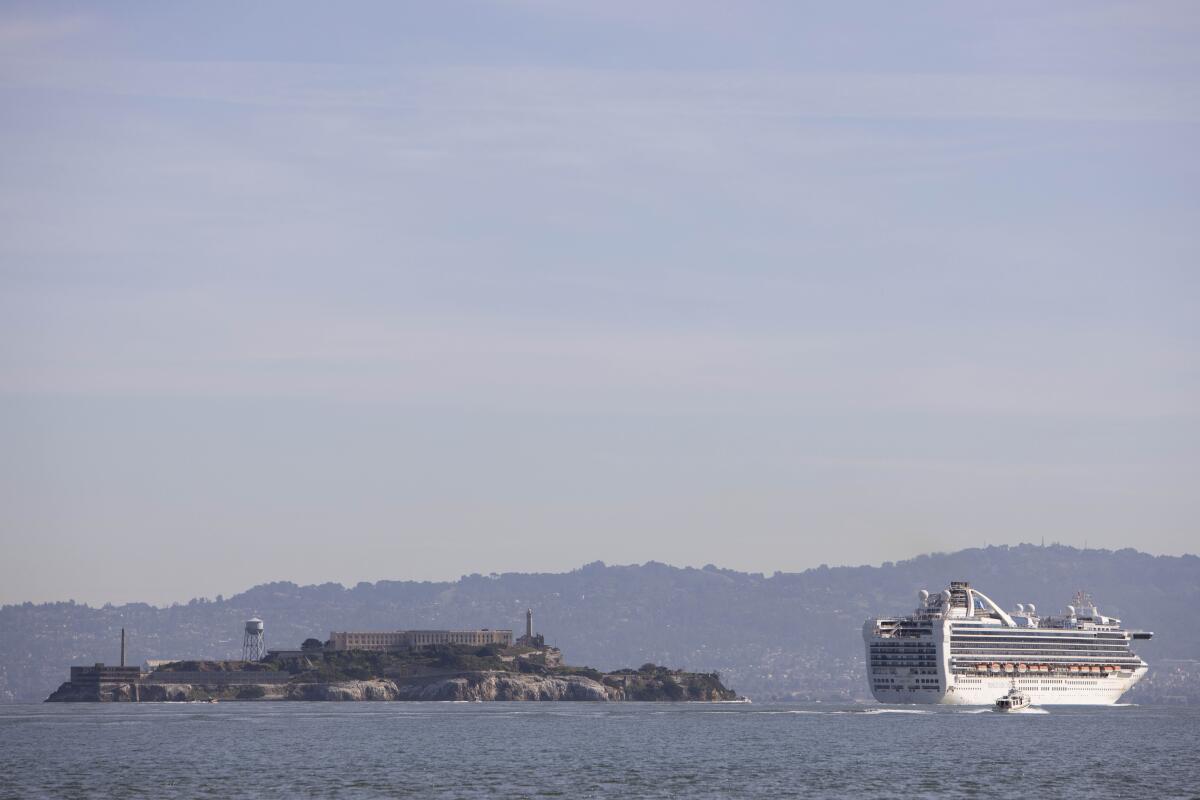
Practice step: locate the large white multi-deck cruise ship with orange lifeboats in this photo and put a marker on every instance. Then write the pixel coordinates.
(961, 648)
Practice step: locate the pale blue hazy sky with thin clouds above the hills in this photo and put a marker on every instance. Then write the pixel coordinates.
(386, 291)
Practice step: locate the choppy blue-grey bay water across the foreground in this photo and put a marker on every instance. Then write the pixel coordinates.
(585, 750)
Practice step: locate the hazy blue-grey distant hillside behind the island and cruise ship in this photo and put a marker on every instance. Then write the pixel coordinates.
(785, 636)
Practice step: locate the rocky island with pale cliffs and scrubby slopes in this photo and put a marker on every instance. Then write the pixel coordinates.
(445, 672)
